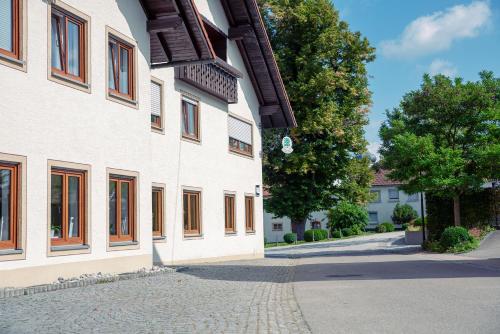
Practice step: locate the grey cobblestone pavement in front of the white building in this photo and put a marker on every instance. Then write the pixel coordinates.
(233, 297)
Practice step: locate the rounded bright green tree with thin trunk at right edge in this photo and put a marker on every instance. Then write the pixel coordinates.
(444, 137)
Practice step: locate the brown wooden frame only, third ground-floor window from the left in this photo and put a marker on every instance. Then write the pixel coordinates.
(119, 179)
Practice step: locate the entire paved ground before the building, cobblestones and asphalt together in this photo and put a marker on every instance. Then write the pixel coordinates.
(371, 284)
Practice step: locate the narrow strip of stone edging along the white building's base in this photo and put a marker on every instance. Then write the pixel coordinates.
(85, 281)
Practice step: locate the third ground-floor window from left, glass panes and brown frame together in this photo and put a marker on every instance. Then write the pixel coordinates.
(121, 208)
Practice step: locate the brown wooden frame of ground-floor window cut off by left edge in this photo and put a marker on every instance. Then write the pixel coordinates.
(12, 243)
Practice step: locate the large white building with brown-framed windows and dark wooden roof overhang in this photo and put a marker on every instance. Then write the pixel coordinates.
(131, 134)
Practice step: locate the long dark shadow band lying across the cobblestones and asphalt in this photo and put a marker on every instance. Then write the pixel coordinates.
(382, 270)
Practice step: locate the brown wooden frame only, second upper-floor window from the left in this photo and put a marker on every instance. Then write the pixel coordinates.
(60, 13)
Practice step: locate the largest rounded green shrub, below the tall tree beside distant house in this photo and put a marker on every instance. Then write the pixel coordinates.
(348, 215)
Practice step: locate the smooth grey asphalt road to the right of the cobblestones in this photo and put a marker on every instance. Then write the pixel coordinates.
(375, 284)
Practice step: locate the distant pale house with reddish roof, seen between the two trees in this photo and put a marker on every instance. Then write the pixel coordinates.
(388, 195)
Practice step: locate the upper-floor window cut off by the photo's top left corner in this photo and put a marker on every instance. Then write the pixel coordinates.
(9, 28)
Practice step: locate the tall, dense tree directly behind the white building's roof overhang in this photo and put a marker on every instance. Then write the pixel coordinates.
(323, 65)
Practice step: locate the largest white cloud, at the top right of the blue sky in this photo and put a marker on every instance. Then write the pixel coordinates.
(437, 32)
